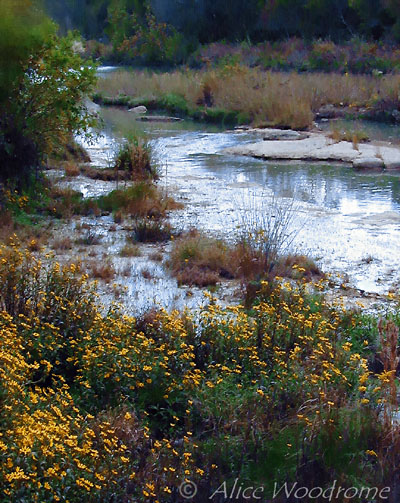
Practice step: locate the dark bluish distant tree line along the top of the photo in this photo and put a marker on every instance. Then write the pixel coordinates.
(207, 21)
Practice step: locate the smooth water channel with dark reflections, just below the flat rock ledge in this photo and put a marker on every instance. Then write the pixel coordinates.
(191, 148)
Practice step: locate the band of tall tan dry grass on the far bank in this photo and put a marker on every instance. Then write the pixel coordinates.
(274, 98)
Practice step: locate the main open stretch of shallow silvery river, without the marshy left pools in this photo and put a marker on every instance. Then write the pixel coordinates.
(348, 221)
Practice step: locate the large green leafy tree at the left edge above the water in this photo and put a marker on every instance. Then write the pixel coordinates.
(42, 85)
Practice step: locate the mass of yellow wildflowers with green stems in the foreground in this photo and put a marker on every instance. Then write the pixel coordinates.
(94, 404)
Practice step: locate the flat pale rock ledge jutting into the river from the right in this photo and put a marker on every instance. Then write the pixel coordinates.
(319, 147)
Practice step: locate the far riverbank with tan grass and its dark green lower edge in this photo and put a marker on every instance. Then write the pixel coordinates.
(273, 99)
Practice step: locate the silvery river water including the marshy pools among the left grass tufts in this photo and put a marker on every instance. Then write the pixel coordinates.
(337, 217)
